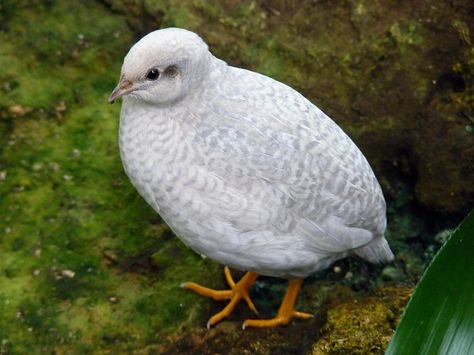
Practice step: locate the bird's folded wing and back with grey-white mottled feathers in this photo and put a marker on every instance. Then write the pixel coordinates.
(267, 141)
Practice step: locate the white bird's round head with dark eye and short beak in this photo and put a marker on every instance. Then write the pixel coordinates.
(163, 67)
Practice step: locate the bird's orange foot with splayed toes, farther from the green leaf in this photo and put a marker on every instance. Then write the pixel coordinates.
(238, 291)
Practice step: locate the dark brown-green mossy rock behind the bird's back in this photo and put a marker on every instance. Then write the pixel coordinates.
(377, 68)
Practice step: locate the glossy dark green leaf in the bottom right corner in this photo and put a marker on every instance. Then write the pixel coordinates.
(439, 318)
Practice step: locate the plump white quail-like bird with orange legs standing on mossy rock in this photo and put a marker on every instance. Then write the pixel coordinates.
(244, 170)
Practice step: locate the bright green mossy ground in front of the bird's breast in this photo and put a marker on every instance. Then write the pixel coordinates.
(66, 199)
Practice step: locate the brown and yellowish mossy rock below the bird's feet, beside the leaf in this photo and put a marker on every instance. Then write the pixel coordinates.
(345, 323)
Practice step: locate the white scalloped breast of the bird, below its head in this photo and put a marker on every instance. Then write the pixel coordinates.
(166, 168)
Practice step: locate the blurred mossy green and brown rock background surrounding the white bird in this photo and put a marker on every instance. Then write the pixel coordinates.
(86, 266)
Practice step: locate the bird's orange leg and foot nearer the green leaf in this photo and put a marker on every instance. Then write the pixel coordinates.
(286, 311)
